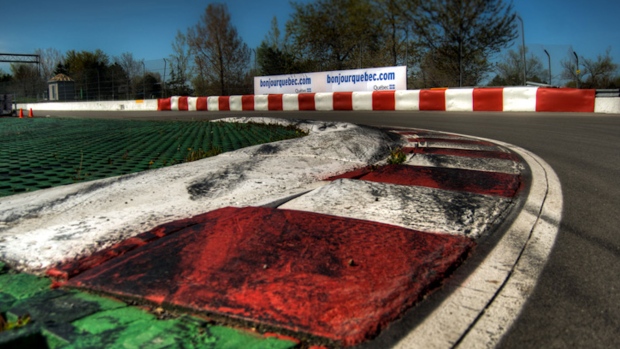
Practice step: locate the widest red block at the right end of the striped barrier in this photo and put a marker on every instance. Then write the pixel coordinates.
(565, 100)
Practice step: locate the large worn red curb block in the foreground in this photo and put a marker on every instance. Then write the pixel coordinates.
(331, 277)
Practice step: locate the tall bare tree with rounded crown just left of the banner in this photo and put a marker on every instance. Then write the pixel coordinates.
(220, 54)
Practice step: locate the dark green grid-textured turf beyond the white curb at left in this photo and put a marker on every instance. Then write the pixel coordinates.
(41, 153)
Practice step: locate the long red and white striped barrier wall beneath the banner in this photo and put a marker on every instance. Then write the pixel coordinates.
(507, 99)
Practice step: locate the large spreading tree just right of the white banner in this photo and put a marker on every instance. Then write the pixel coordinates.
(460, 36)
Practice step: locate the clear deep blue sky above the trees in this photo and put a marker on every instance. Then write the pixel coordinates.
(147, 28)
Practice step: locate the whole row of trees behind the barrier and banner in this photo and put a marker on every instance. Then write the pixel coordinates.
(443, 43)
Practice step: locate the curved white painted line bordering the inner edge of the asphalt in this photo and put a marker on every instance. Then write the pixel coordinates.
(478, 308)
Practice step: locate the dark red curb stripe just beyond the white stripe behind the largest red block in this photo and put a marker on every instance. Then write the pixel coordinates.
(479, 182)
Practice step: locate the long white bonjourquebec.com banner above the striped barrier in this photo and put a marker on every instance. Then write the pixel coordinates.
(372, 79)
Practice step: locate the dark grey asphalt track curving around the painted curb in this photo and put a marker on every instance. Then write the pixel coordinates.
(575, 304)
